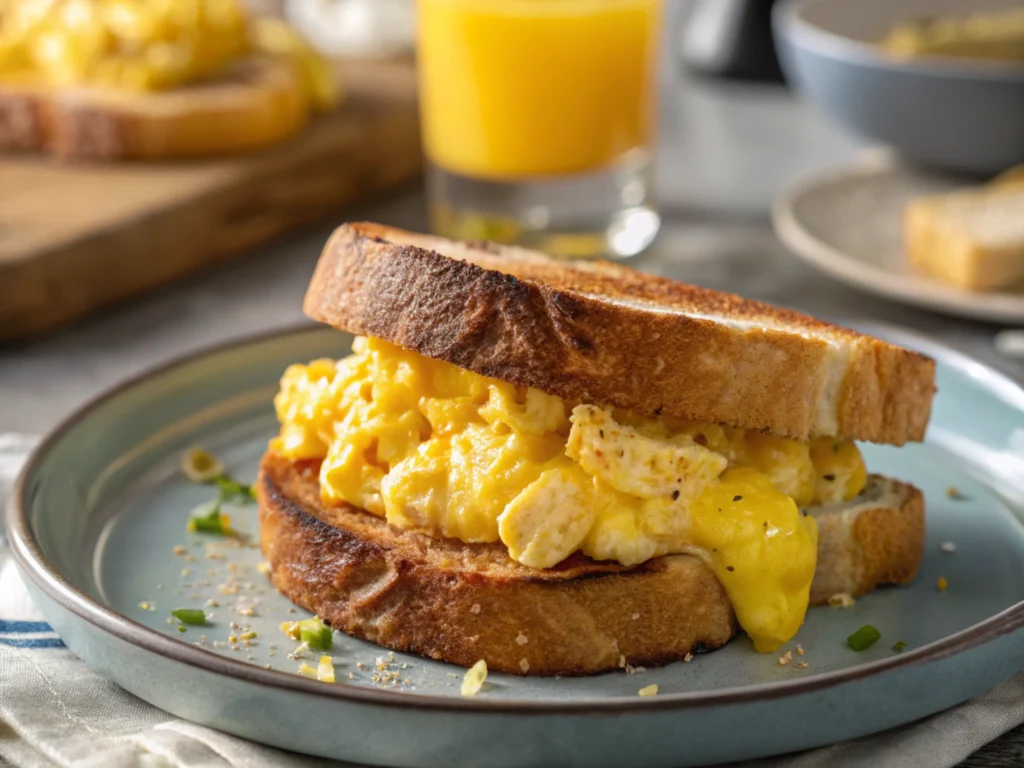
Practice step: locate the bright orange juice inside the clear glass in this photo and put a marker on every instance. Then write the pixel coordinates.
(515, 90)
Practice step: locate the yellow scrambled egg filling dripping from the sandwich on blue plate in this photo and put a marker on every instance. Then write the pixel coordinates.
(435, 448)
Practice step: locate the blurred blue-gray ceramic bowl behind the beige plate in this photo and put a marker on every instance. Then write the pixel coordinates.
(953, 114)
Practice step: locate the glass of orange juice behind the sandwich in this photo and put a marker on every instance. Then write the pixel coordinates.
(539, 120)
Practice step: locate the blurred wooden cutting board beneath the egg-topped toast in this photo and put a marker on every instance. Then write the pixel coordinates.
(76, 238)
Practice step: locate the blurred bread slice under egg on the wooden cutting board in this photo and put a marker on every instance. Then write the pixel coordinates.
(261, 101)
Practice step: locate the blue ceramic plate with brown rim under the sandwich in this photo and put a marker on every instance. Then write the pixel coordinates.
(102, 508)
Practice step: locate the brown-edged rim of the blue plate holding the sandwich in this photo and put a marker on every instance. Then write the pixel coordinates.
(30, 560)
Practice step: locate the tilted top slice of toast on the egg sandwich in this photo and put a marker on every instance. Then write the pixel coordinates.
(601, 333)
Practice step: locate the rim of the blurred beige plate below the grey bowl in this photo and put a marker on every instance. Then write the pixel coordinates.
(916, 291)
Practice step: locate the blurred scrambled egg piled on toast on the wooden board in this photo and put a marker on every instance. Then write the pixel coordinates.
(145, 47)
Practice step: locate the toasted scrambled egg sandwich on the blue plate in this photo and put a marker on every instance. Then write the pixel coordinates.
(563, 470)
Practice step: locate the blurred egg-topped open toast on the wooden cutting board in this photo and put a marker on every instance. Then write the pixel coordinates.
(106, 80)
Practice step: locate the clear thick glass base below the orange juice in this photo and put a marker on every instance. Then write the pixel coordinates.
(605, 215)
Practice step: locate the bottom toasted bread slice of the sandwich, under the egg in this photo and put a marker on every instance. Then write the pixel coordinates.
(461, 603)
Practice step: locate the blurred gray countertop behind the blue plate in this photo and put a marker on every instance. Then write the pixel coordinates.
(728, 151)
